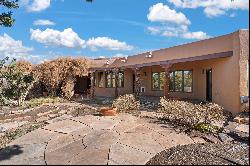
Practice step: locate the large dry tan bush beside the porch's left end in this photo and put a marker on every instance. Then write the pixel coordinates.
(55, 74)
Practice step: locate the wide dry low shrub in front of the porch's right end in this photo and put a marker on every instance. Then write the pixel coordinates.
(190, 114)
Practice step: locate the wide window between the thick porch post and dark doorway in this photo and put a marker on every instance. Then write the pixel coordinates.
(181, 81)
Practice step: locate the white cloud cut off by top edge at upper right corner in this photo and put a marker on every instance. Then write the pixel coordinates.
(213, 8)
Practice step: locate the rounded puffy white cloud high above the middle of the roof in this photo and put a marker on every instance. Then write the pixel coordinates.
(162, 13)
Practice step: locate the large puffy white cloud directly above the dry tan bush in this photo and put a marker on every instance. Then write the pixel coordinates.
(50, 37)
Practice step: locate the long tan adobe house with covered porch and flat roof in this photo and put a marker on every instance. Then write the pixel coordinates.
(214, 70)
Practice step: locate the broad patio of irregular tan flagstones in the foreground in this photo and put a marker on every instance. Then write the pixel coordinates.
(122, 139)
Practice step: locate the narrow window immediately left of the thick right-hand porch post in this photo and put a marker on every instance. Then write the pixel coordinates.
(158, 81)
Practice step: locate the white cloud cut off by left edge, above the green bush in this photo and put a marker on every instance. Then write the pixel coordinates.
(13, 48)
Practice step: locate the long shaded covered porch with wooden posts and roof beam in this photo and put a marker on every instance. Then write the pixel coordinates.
(187, 78)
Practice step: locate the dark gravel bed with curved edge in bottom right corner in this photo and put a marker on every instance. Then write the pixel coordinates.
(203, 154)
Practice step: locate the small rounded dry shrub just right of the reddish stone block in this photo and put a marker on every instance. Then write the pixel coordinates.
(126, 103)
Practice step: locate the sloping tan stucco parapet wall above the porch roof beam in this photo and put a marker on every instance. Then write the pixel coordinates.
(199, 48)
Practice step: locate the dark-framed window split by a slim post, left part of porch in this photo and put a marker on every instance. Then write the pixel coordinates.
(110, 80)
